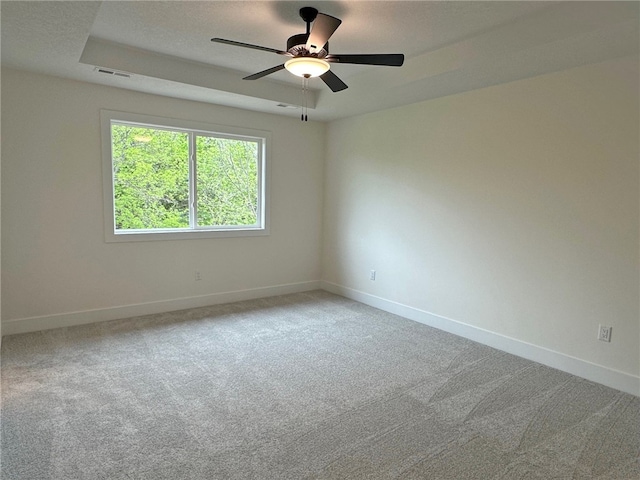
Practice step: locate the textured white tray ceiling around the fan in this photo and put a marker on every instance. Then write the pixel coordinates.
(449, 47)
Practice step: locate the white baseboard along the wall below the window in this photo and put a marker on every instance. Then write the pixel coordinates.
(46, 322)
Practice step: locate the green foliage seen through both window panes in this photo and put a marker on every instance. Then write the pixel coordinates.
(172, 179)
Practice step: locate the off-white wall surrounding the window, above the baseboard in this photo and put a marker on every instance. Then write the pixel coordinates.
(54, 257)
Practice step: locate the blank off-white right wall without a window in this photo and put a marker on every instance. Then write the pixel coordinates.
(512, 209)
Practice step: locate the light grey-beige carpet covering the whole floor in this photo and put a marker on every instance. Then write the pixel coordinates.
(300, 386)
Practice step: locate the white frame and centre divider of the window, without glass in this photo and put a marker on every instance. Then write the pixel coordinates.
(109, 117)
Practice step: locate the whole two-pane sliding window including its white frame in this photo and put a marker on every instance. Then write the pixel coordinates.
(171, 179)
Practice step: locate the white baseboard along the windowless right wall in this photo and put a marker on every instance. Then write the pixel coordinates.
(581, 368)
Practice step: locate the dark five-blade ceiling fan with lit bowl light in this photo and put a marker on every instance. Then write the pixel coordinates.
(309, 52)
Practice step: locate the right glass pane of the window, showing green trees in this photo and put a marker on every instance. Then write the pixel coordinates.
(227, 182)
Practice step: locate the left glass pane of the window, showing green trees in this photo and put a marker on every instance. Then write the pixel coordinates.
(151, 178)
